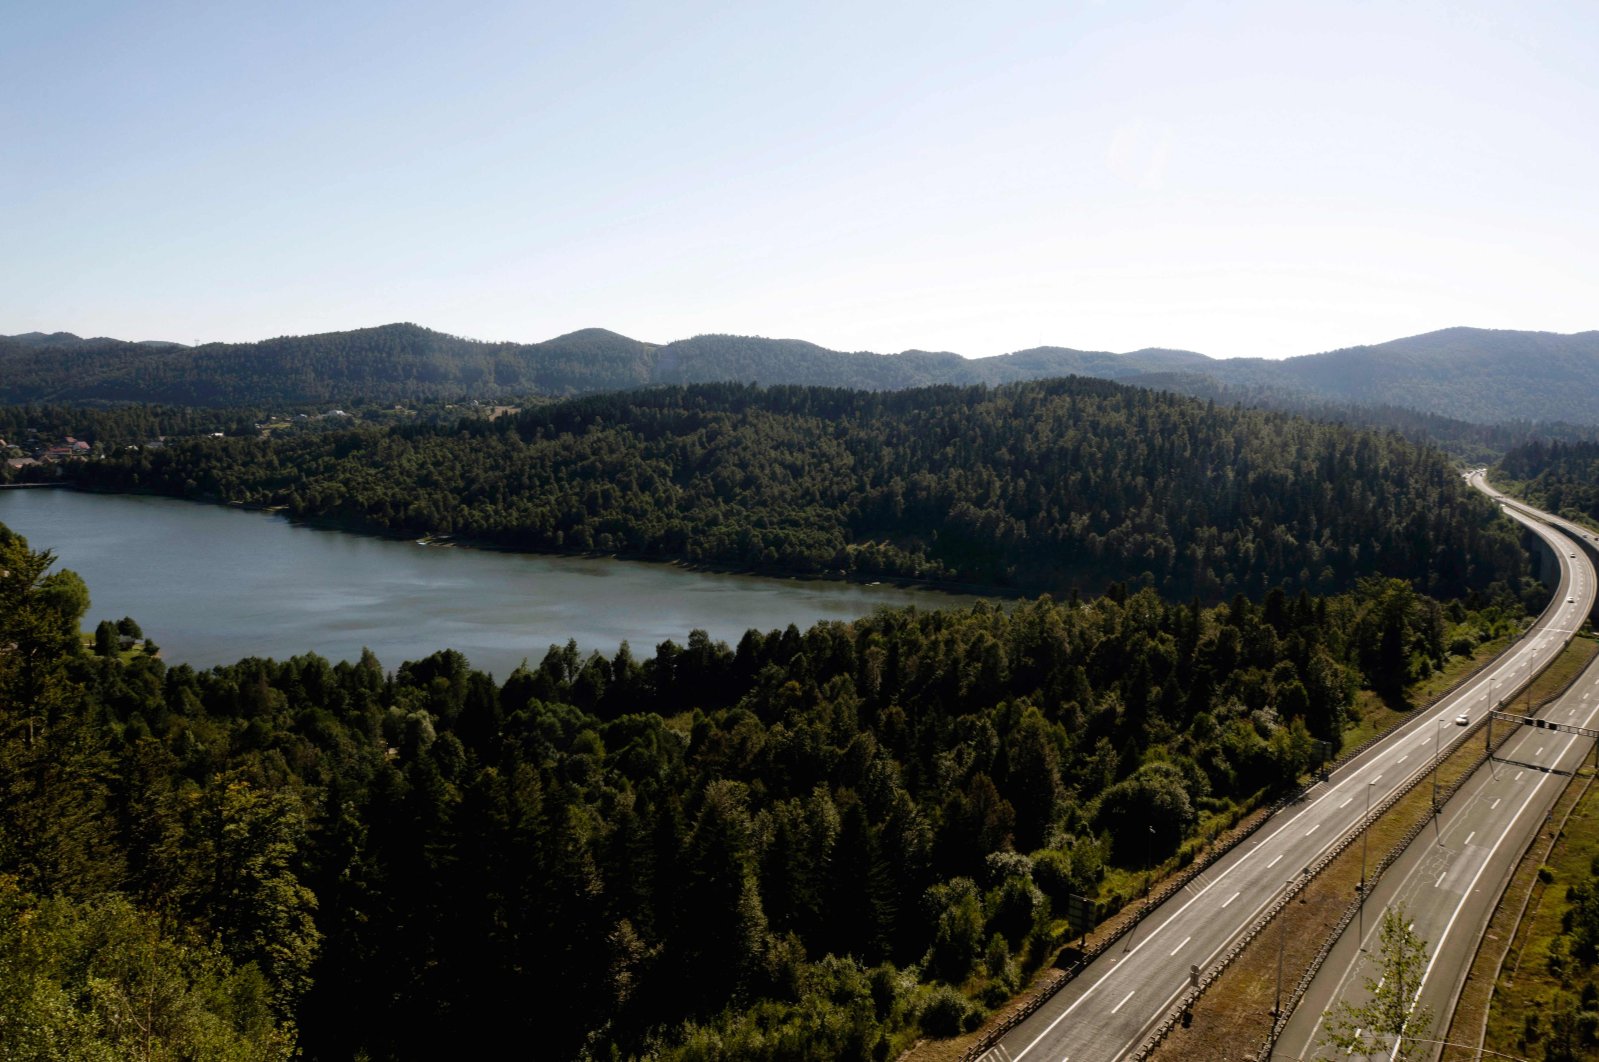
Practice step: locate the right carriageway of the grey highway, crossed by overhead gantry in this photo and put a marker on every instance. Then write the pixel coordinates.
(1453, 877)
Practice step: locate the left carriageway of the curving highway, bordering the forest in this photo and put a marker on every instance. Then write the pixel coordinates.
(1109, 1010)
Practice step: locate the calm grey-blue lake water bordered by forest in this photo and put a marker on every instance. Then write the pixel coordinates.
(212, 586)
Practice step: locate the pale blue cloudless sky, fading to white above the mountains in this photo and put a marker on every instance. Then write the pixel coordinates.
(1240, 178)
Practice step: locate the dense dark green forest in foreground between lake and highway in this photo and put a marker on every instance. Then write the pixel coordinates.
(816, 844)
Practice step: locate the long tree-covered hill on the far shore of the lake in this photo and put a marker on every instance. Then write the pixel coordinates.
(1043, 485)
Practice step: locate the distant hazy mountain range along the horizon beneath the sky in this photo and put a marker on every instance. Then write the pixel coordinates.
(1483, 377)
